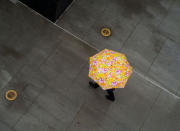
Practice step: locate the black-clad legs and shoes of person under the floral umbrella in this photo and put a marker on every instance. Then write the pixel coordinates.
(110, 92)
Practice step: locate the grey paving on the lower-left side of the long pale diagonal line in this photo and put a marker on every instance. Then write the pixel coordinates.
(49, 69)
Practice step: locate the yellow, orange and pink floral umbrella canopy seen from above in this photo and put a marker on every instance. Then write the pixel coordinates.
(109, 69)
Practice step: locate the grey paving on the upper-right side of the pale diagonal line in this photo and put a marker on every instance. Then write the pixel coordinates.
(140, 28)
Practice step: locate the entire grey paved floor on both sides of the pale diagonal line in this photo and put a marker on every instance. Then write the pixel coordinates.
(49, 69)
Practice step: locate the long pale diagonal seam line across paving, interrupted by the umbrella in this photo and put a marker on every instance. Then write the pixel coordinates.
(93, 47)
